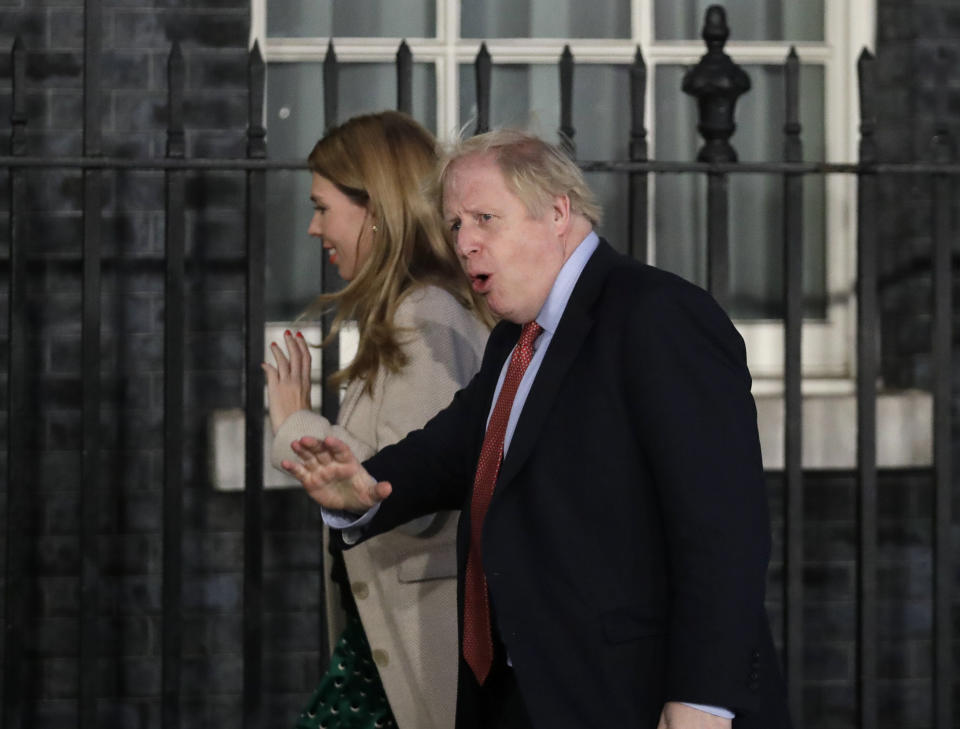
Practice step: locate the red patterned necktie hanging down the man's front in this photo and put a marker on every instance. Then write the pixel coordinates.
(477, 639)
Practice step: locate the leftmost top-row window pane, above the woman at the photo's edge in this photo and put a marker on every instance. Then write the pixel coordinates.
(351, 18)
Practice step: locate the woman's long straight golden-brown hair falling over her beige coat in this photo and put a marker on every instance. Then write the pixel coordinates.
(385, 162)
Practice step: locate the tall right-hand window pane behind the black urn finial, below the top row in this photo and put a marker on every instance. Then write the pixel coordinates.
(756, 201)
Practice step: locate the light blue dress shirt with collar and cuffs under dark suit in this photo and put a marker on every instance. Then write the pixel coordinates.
(549, 318)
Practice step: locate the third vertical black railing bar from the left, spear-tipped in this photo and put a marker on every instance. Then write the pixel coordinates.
(173, 386)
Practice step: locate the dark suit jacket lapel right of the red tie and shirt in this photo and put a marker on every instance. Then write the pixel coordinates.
(576, 322)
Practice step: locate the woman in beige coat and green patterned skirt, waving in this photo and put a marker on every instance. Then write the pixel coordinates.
(421, 337)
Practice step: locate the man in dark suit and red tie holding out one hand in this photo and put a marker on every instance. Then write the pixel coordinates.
(614, 535)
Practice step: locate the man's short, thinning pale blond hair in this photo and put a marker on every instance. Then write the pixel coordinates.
(534, 170)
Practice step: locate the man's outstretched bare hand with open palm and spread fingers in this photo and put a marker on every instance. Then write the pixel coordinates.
(333, 476)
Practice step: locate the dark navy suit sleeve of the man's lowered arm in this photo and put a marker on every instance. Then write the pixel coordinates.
(697, 428)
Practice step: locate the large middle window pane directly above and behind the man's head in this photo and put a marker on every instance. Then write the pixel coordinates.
(529, 97)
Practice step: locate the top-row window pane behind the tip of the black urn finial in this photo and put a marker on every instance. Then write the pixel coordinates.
(769, 20)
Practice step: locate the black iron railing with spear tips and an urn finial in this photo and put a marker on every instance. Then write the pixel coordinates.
(717, 162)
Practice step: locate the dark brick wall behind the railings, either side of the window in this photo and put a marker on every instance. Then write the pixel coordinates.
(137, 37)
